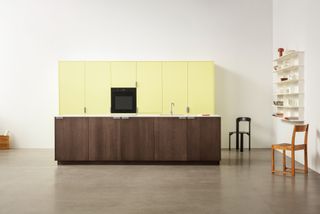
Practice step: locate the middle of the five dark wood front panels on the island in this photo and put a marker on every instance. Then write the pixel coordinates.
(137, 139)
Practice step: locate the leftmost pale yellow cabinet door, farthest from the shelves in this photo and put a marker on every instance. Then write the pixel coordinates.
(71, 88)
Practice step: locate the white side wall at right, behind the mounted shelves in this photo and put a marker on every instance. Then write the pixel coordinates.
(296, 26)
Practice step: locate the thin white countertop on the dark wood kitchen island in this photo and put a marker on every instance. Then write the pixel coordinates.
(139, 115)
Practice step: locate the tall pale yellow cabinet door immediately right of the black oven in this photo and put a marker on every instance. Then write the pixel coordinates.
(149, 87)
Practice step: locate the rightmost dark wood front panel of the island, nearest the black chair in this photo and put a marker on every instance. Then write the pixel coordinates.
(204, 139)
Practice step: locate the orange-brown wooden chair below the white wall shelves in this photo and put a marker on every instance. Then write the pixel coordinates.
(293, 147)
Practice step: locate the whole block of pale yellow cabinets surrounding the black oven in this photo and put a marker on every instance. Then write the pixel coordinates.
(172, 87)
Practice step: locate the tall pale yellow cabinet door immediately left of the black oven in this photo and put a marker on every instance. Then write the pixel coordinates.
(97, 96)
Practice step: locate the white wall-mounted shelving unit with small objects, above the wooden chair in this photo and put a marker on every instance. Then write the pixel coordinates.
(288, 87)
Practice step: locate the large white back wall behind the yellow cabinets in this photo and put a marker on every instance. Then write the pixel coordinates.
(35, 34)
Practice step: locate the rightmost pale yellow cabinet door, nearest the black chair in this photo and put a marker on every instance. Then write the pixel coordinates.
(201, 88)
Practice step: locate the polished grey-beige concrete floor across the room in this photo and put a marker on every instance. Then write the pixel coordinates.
(31, 182)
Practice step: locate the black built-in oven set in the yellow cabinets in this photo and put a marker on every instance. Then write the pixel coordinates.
(123, 100)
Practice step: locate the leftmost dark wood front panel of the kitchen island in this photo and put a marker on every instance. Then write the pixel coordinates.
(71, 139)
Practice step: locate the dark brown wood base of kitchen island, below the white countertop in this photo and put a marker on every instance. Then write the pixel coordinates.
(137, 139)
